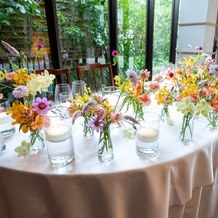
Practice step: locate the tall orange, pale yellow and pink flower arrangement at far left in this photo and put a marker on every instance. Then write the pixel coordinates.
(26, 109)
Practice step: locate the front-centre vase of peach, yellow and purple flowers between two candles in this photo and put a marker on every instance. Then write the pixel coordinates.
(100, 116)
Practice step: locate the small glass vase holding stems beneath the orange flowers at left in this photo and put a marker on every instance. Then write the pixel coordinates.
(37, 141)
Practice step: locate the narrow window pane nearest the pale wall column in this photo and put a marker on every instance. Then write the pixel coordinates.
(162, 26)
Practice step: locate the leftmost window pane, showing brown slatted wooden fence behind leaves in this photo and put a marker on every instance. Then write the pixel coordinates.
(23, 25)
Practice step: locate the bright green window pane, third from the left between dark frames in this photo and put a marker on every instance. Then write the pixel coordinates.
(131, 34)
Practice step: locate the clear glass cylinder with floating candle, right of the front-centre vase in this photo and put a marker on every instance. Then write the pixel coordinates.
(147, 135)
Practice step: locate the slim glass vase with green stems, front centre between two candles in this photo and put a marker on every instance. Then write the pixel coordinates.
(105, 146)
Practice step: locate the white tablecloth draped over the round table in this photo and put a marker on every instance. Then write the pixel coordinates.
(180, 182)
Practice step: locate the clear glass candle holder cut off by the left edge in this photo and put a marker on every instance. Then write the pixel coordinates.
(6, 127)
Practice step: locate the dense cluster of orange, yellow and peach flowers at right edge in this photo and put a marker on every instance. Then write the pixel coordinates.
(194, 88)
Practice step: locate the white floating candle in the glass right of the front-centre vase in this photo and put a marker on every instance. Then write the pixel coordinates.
(147, 134)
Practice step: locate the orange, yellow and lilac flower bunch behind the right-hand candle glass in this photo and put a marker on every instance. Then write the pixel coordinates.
(137, 90)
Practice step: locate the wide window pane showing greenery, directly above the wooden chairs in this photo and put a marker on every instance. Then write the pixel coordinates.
(83, 27)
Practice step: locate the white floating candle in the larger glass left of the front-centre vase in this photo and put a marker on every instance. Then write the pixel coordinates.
(58, 133)
